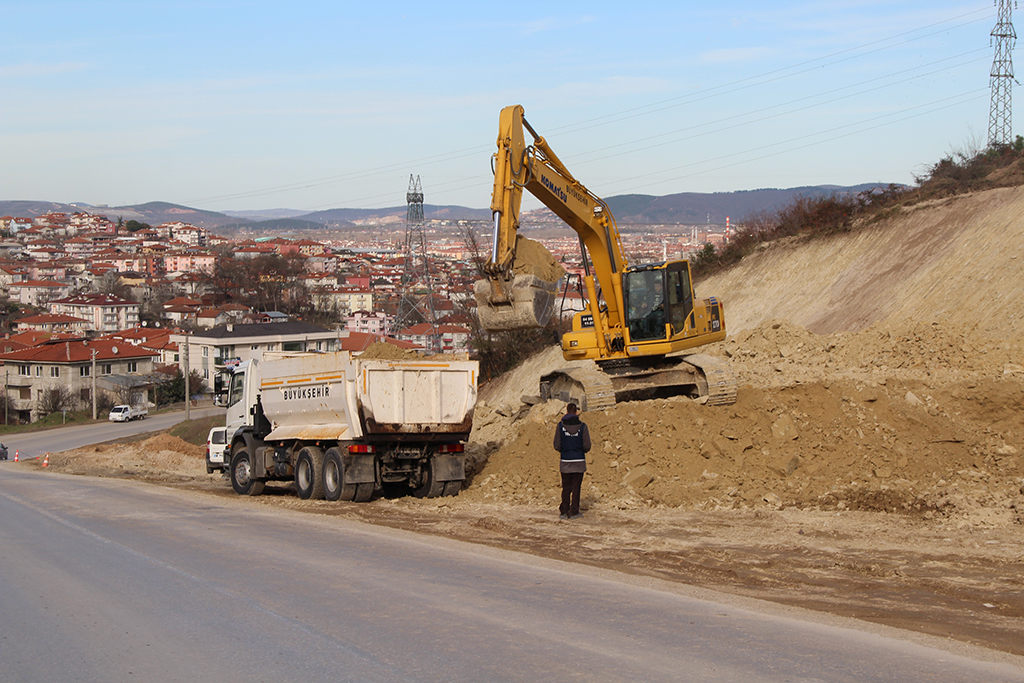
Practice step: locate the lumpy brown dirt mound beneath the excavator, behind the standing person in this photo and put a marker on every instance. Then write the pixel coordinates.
(918, 422)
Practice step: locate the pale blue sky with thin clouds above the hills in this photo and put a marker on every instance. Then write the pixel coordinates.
(234, 106)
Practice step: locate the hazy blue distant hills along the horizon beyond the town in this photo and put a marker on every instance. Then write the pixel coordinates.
(686, 208)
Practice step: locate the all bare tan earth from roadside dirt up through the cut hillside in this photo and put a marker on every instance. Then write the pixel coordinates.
(872, 466)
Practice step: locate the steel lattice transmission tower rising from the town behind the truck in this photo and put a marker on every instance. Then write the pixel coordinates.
(417, 300)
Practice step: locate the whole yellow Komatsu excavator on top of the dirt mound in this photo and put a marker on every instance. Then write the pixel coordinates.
(638, 324)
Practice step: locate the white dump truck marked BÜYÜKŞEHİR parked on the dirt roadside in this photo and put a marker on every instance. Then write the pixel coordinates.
(346, 428)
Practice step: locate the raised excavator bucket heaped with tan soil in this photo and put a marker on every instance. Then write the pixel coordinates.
(526, 302)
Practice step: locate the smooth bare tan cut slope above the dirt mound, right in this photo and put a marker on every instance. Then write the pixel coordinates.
(958, 262)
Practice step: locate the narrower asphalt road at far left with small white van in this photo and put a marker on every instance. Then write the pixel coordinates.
(35, 445)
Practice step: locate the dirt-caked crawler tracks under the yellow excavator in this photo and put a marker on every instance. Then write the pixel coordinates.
(595, 388)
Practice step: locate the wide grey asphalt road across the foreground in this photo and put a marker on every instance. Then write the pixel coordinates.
(109, 581)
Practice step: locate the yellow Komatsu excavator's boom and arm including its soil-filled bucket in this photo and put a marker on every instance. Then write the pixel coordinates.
(510, 290)
